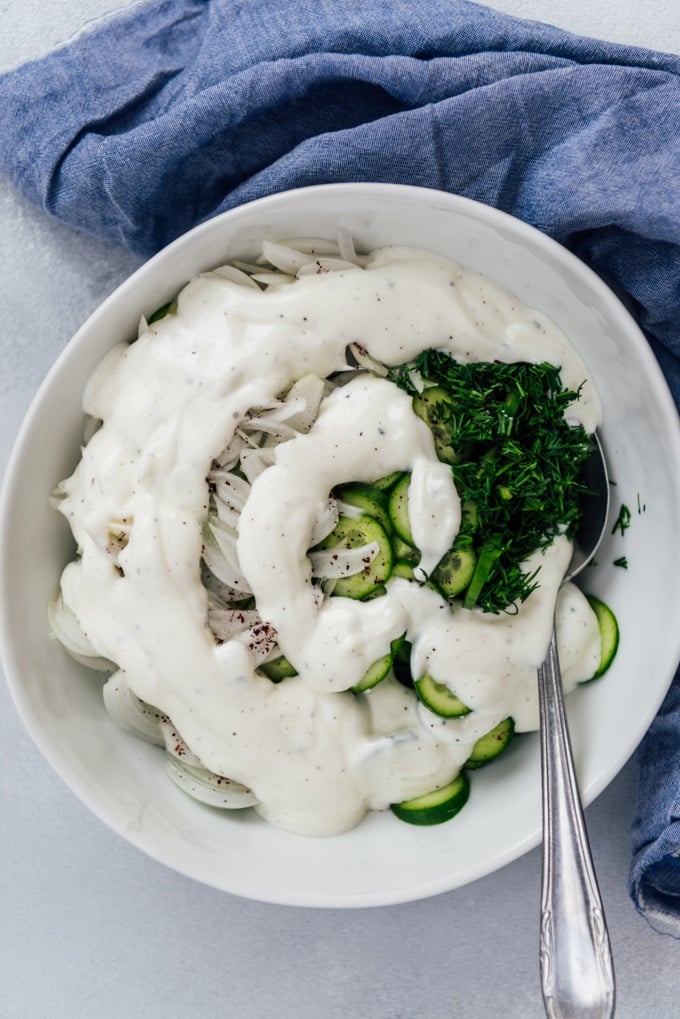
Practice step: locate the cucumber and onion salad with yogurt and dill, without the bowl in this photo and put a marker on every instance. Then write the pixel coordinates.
(323, 516)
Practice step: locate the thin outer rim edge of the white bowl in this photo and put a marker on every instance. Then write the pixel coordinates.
(9, 657)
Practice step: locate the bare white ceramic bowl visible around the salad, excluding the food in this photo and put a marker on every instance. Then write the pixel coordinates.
(123, 781)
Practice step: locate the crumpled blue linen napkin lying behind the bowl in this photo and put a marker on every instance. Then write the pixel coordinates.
(181, 110)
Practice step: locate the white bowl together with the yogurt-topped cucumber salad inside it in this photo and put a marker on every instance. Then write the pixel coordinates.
(284, 534)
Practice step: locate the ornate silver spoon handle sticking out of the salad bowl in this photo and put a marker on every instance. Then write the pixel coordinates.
(577, 967)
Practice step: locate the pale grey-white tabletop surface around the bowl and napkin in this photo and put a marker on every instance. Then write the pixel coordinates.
(89, 926)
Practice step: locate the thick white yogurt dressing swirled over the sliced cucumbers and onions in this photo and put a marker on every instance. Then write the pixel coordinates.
(317, 757)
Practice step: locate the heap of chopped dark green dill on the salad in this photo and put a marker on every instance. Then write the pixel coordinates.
(515, 459)
